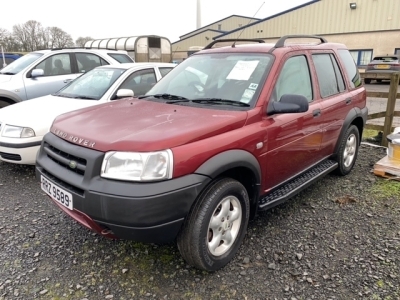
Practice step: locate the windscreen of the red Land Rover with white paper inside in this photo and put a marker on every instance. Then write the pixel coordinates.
(236, 78)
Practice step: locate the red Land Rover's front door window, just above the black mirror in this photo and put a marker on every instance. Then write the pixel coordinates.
(294, 79)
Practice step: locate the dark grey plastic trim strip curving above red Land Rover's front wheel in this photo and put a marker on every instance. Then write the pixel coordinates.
(230, 159)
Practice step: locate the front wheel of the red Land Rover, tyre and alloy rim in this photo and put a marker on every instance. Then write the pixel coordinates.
(215, 226)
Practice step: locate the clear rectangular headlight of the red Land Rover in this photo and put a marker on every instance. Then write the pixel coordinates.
(138, 166)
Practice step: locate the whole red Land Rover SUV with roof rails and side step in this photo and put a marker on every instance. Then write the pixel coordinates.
(227, 133)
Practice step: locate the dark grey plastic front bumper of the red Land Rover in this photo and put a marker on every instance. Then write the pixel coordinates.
(145, 212)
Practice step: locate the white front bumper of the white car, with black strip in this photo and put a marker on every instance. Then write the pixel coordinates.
(19, 153)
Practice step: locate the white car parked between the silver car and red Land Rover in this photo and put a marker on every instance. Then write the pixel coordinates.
(23, 125)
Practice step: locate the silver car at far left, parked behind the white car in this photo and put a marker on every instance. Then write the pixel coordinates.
(45, 72)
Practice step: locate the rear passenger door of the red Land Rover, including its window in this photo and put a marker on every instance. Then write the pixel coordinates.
(335, 98)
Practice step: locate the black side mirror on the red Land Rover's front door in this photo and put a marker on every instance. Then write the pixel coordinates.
(288, 103)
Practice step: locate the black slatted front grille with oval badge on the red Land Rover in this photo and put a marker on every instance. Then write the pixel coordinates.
(70, 162)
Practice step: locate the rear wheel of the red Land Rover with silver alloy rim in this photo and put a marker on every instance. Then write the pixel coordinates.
(348, 151)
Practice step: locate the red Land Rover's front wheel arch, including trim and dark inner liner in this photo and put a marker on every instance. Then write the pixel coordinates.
(239, 165)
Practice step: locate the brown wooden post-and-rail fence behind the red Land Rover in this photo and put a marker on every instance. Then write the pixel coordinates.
(391, 96)
